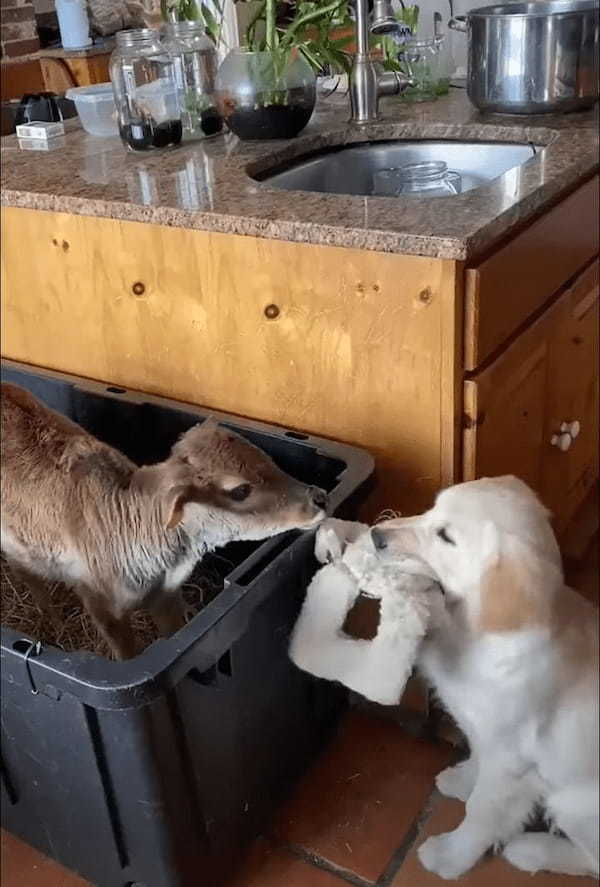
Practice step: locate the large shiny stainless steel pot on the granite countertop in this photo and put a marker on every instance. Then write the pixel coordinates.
(532, 58)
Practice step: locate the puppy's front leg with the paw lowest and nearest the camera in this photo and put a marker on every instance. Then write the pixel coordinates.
(499, 804)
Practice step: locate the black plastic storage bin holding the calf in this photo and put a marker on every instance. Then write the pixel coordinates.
(157, 771)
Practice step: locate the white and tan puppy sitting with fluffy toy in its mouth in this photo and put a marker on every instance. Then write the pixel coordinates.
(515, 661)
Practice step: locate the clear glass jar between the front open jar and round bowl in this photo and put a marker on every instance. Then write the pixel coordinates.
(195, 64)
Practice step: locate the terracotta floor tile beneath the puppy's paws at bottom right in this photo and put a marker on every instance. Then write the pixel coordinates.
(494, 872)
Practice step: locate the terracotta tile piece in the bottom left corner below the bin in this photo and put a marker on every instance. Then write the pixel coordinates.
(22, 866)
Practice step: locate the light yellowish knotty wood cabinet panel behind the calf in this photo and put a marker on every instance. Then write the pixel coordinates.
(353, 345)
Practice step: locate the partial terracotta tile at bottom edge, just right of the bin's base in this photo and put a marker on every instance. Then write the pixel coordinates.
(270, 866)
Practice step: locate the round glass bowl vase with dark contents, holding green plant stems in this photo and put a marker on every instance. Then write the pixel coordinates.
(264, 95)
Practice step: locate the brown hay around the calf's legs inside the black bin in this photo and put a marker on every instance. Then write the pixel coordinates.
(65, 624)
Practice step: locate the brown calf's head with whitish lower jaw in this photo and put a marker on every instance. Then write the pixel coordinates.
(217, 481)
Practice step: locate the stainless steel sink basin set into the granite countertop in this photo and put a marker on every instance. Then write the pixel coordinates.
(350, 169)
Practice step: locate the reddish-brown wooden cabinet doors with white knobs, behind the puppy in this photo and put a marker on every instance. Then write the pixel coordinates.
(548, 375)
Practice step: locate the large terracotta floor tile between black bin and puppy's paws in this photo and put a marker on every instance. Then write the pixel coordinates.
(360, 799)
